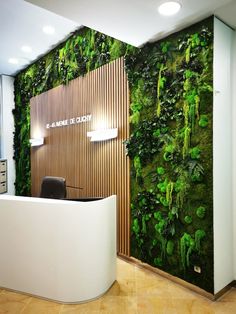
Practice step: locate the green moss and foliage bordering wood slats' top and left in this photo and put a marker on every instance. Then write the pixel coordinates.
(84, 51)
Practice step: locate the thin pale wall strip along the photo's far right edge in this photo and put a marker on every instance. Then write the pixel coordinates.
(234, 143)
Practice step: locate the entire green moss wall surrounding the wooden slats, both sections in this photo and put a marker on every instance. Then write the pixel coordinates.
(170, 146)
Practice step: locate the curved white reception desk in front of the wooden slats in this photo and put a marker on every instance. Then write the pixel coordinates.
(57, 249)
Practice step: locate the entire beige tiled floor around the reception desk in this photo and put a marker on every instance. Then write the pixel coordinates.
(136, 292)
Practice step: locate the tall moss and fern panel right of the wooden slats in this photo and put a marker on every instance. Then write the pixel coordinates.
(171, 153)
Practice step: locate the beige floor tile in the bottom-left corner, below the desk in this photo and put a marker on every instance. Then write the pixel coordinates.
(12, 303)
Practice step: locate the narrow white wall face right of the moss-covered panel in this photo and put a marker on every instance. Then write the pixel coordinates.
(222, 157)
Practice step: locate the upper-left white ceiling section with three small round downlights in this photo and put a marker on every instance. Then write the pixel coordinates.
(21, 24)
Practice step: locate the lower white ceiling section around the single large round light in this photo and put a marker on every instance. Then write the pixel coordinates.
(132, 21)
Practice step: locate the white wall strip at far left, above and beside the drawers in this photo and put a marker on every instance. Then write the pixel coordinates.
(7, 128)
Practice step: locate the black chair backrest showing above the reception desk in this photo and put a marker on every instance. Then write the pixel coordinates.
(53, 187)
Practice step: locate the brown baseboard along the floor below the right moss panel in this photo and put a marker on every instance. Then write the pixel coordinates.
(183, 283)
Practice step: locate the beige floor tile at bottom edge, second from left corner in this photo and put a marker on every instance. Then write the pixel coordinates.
(39, 306)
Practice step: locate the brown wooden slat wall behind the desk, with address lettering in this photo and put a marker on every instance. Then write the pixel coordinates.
(100, 169)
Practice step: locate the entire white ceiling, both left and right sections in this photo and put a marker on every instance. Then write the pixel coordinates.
(132, 21)
